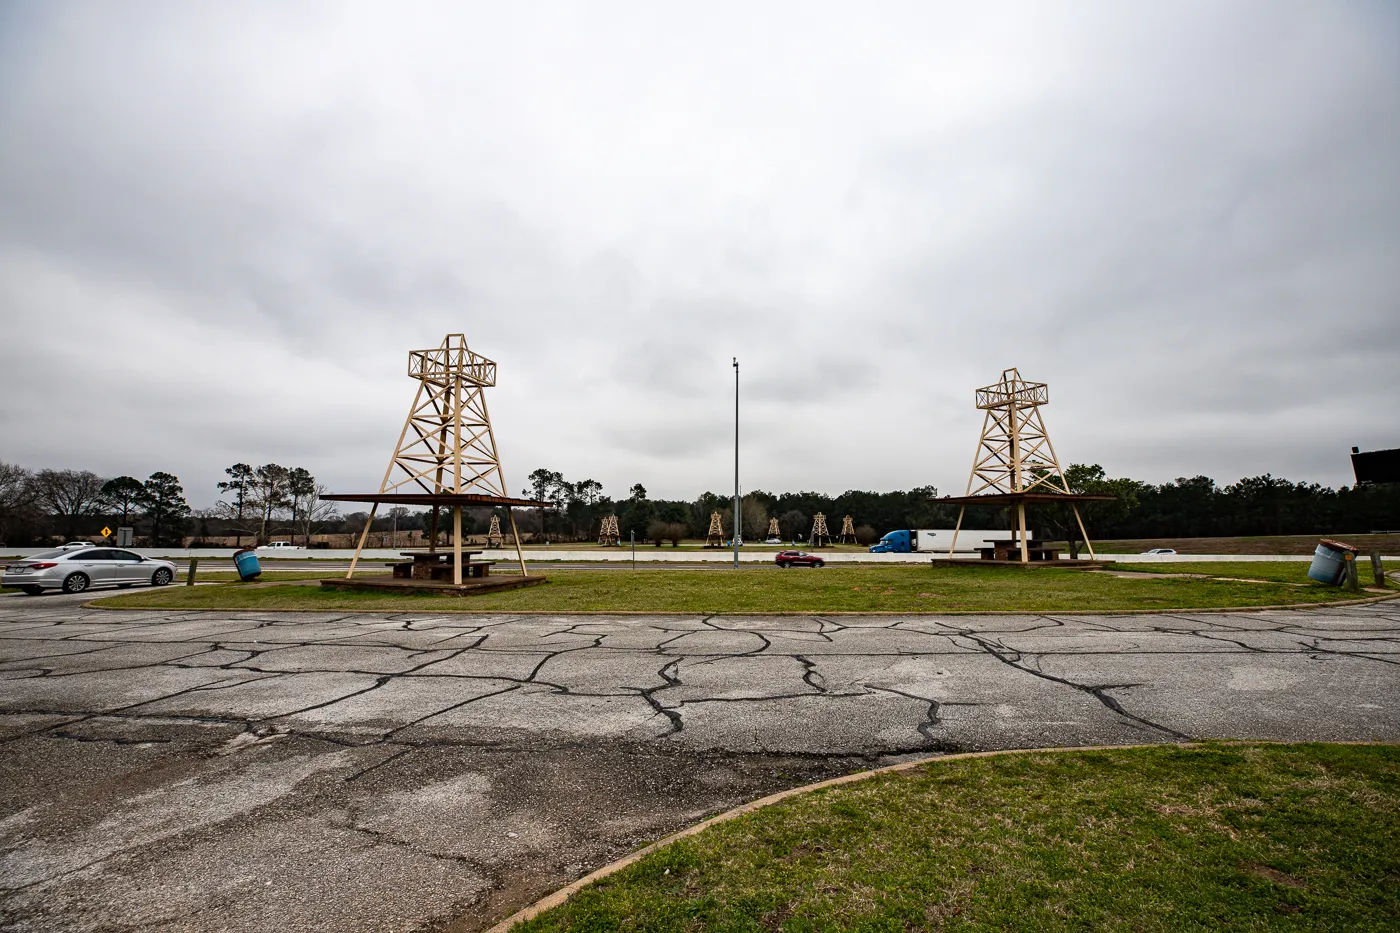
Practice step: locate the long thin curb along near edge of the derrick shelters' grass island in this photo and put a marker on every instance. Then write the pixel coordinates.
(96, 604)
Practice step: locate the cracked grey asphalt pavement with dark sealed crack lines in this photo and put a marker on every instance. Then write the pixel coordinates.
(195, 771)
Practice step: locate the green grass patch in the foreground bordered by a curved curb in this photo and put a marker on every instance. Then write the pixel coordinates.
(1170, 838)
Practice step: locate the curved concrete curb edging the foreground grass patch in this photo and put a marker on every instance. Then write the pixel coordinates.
(563, 894)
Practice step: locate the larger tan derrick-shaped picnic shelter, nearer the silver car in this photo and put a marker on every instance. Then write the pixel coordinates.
(446, 456)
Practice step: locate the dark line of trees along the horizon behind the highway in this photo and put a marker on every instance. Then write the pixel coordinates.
(264, 502)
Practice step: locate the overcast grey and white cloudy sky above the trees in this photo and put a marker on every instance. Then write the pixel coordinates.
(225, 226)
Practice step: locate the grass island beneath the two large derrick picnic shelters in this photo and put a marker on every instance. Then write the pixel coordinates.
(765, 589)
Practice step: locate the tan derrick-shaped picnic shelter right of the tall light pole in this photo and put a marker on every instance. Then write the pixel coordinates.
(1016, 462)
